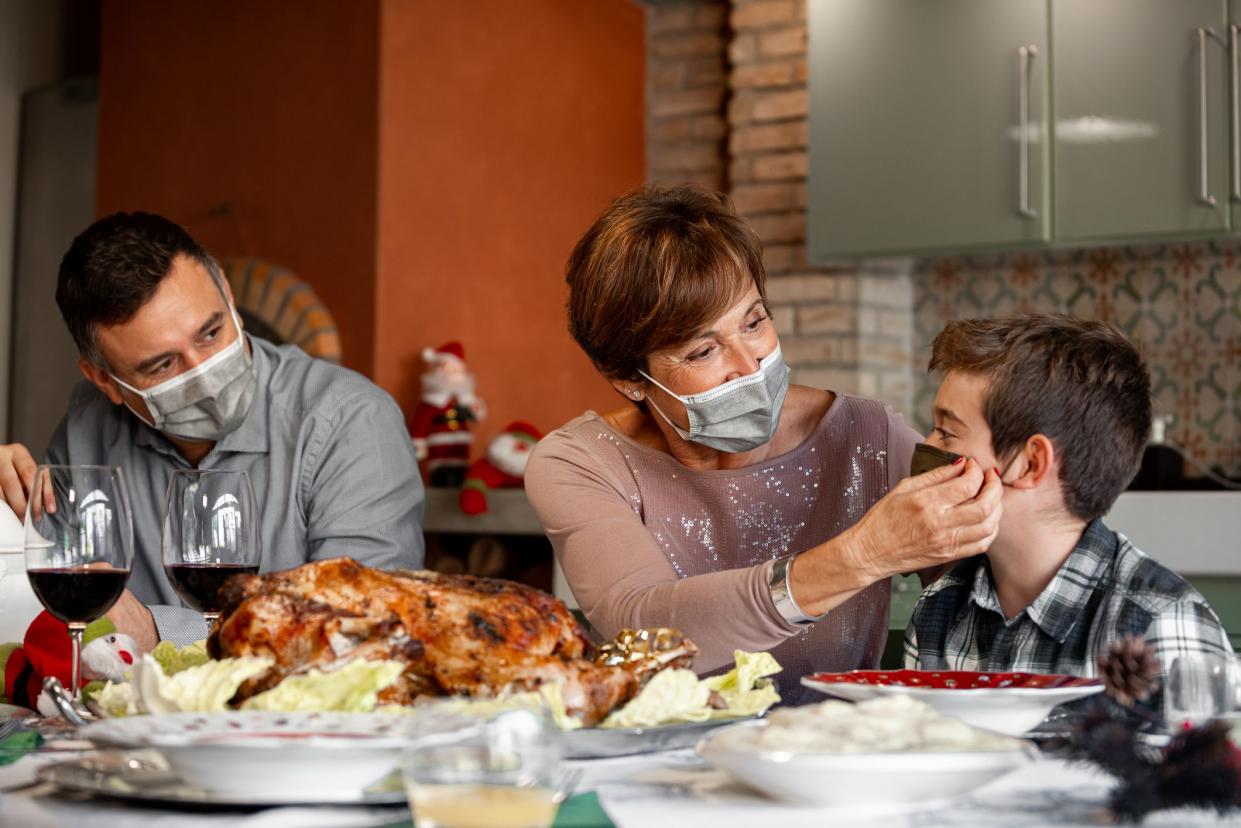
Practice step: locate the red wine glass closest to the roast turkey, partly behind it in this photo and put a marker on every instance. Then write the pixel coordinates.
(210, 534)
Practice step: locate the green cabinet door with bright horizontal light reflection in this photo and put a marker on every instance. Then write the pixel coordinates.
(1142, 141)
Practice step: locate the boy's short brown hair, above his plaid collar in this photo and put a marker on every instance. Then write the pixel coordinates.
(1082, 384)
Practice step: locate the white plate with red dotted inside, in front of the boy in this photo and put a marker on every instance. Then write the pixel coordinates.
(1011, 711)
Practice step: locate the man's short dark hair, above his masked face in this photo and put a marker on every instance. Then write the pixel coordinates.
(115, 268)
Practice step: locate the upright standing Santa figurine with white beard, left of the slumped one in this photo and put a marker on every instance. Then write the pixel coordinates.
(441, 425)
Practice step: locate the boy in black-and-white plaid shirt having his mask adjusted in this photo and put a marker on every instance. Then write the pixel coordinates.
(1062, 409)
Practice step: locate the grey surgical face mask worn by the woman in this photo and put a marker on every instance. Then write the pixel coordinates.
(739, 416)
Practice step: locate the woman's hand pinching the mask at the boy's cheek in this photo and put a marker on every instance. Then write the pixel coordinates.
(929, 521)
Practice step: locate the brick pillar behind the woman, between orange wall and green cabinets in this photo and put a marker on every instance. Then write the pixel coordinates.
(728, 109)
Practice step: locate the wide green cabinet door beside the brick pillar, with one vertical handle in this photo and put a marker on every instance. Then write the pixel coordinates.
(916, 126)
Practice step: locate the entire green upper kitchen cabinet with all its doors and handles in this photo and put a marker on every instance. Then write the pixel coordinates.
(983, 125)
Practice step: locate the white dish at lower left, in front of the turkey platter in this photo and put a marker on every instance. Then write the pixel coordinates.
(267, 755)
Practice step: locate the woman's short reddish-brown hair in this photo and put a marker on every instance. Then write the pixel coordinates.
(653, 270)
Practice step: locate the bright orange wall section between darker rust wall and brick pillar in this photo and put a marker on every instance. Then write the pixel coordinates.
(504, 130)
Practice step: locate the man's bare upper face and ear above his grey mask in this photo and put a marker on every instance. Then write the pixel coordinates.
(183, 325)
